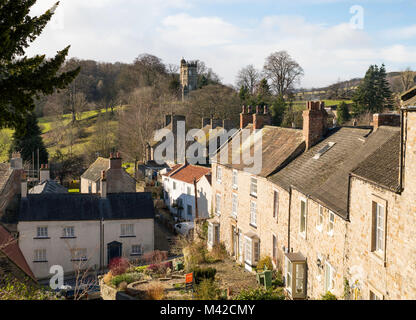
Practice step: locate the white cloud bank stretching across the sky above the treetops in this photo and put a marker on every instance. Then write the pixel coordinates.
(119, 30)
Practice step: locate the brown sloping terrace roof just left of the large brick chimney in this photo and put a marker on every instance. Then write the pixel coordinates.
(279, 146)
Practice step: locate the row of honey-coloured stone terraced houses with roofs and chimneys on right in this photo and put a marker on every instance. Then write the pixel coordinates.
(334, 208)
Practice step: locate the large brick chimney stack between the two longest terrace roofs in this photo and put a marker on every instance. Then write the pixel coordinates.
(314, 122)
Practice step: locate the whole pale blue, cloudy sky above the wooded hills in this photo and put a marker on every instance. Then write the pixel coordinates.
(230, 34)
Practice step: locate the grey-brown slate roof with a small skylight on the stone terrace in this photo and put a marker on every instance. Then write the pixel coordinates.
(326, 179)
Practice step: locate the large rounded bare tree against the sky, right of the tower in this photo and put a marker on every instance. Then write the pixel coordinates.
(283, 72)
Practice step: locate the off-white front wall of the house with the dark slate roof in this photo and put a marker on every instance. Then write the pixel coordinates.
(87, 235)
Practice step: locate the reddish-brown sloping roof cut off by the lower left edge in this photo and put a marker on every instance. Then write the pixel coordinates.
(10, 248)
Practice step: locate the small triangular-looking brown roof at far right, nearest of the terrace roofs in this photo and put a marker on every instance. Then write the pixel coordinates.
(382, 167)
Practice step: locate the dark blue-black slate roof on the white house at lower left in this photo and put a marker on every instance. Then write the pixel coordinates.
(76, 207)
